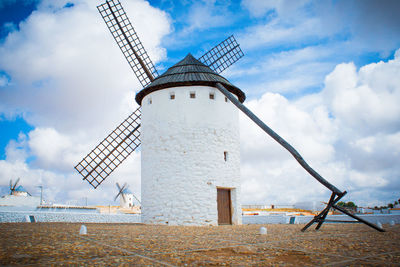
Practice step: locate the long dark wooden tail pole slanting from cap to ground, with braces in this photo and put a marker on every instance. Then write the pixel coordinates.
(336, 193)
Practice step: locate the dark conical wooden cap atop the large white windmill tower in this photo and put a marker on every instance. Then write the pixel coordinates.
(187, 72)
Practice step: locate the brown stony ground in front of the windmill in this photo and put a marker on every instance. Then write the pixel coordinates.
(44, 244)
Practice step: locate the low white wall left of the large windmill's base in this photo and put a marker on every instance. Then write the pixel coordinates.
(19, 216)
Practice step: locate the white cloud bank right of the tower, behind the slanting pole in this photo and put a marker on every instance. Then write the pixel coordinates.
(349, 133)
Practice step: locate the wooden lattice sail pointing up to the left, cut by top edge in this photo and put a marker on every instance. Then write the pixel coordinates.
(128, 41)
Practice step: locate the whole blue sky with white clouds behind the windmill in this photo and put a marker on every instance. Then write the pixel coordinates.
(325, 75)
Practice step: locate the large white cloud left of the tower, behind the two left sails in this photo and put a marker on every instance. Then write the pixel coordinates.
(69, 80)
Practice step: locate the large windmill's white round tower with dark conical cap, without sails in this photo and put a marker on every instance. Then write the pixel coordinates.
(190, 148)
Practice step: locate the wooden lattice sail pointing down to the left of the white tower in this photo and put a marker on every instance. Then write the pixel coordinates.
(112, 151)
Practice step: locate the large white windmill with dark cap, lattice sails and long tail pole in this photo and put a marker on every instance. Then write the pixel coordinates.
(190, 148)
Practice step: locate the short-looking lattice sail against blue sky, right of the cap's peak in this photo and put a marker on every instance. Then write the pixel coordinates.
(222, 55)
